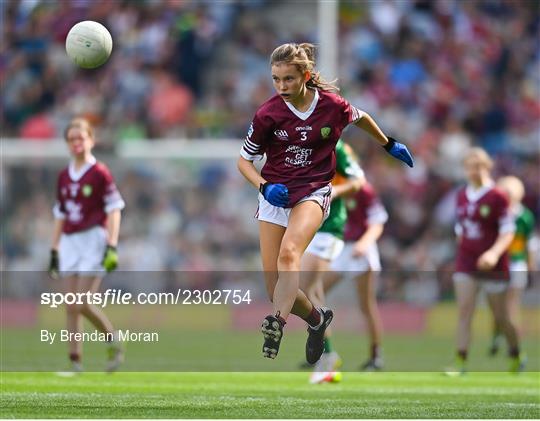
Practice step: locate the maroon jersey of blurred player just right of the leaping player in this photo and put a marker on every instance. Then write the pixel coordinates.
(363, 209)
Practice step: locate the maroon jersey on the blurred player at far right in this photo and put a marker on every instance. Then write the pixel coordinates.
(481, 216)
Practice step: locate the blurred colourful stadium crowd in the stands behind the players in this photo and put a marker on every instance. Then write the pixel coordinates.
(440, 75)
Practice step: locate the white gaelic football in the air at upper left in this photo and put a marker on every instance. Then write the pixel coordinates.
(89, 44)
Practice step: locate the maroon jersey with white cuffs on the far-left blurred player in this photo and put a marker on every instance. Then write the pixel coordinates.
(85, 197)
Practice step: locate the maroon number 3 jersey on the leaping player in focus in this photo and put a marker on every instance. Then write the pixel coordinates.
(299, 146)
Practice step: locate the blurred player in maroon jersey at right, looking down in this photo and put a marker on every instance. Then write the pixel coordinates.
(485, 228)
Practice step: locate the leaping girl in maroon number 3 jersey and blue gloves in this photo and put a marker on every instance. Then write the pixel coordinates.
(297, 129)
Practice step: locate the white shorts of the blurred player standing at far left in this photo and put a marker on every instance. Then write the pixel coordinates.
(82, 252)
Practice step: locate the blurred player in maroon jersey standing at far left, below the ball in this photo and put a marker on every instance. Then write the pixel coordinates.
(87, 224)
